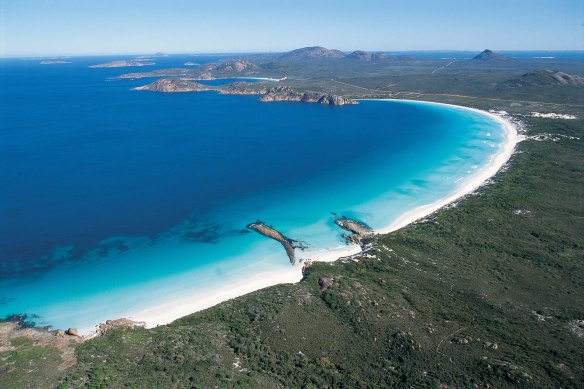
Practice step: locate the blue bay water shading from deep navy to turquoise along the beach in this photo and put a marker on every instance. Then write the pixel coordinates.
(115, 200)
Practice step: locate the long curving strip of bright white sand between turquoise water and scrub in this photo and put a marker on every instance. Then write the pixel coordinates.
(168, 312)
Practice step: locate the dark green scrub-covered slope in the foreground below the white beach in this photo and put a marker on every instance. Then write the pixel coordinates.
(486, 293)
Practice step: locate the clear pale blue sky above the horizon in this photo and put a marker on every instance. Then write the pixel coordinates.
(84, 27)
